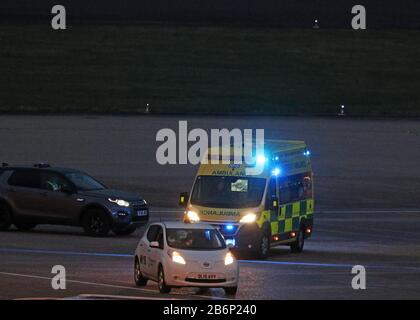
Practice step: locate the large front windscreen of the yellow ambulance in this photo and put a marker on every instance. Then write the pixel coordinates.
(228, 192)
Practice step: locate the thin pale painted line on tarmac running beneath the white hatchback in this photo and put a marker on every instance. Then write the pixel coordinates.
(109, 286)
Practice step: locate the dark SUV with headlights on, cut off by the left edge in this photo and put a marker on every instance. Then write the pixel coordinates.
(49, 195)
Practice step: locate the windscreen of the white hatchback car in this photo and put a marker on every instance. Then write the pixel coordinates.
(195, 239)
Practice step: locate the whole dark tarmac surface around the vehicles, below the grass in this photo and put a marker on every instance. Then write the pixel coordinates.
(367, 182)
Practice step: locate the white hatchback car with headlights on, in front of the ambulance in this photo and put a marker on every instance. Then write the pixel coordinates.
(177, 254)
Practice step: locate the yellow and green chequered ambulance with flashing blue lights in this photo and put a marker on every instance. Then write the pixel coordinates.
(255, 212)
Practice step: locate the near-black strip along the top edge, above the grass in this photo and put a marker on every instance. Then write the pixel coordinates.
(287, 13)
